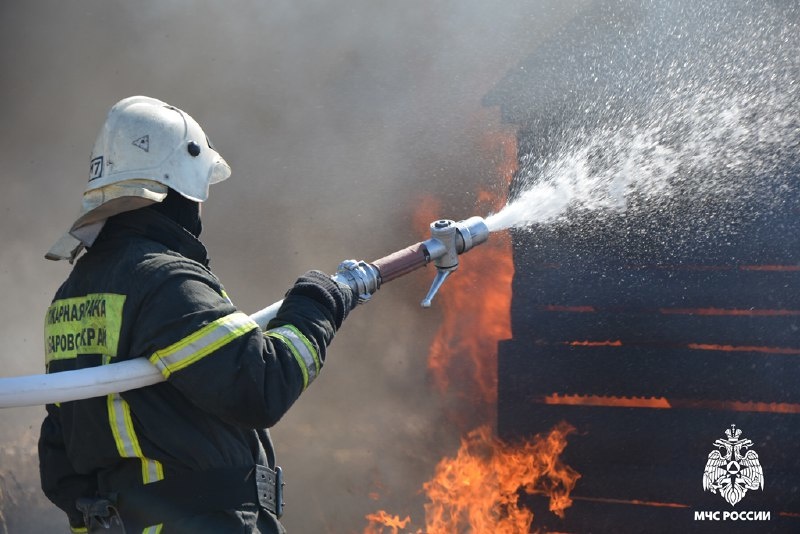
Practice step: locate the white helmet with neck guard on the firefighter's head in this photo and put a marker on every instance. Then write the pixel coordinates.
(145, 147)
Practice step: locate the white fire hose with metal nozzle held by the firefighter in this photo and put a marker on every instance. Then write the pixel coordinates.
(448, 240)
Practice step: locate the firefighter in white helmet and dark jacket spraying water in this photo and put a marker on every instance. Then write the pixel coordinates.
(192, 453)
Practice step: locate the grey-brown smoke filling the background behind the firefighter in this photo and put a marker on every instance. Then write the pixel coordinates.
(335, 117)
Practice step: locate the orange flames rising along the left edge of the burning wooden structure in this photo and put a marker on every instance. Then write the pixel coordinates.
(478, 489)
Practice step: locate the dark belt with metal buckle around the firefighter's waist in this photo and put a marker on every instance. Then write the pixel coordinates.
(196, 493)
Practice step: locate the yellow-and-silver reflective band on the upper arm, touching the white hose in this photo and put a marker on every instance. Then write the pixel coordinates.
(201, 343)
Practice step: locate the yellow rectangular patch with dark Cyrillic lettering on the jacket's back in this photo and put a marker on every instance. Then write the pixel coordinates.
(83, 325)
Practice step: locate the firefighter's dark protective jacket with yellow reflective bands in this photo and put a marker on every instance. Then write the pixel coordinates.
(144, 290)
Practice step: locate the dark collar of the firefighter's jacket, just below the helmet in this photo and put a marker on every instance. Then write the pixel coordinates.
(153, 225)
